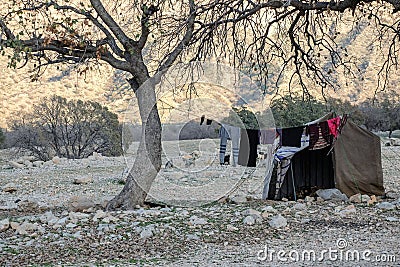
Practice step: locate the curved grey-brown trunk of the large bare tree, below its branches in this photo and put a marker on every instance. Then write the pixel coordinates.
(148, 158)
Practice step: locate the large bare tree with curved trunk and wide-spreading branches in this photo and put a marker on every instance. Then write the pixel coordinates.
(147, 37)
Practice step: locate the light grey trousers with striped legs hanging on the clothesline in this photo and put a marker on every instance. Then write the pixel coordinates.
(228, 132)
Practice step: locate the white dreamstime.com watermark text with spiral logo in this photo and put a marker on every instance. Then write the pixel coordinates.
(340, 252)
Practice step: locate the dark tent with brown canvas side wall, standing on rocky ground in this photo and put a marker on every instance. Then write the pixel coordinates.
(354, 166)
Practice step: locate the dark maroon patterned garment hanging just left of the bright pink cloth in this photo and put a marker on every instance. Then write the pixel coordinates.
(320, 136)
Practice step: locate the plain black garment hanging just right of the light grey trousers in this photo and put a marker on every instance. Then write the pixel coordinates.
(249, 139)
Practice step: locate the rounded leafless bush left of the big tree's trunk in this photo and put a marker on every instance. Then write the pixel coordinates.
(70, 129)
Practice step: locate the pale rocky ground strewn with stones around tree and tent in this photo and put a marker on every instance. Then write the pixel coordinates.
(52, 215)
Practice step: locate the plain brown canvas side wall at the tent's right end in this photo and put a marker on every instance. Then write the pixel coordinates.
(357, 162)
